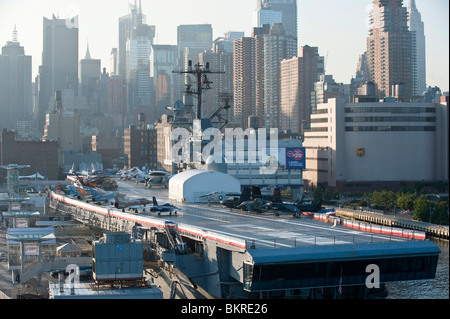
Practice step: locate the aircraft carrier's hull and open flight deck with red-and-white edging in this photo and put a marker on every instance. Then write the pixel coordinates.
(234, 254)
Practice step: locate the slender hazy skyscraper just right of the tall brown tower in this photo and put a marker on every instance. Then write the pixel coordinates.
(416, 25)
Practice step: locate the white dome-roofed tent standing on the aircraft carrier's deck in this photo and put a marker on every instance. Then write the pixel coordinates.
(188, 186)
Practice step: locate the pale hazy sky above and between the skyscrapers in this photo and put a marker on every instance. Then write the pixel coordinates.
(337, 27)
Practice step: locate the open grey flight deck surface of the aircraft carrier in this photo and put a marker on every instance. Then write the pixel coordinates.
(262, 230)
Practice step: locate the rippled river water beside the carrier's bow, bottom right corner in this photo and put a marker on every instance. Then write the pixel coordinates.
(425, 289)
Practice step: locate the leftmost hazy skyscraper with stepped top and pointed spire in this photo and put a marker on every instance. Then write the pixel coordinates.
(15, 84)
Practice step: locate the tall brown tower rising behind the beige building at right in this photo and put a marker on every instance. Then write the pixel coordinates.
(391, 50)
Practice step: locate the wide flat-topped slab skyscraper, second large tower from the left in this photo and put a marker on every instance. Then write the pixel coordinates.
(59, 68)
